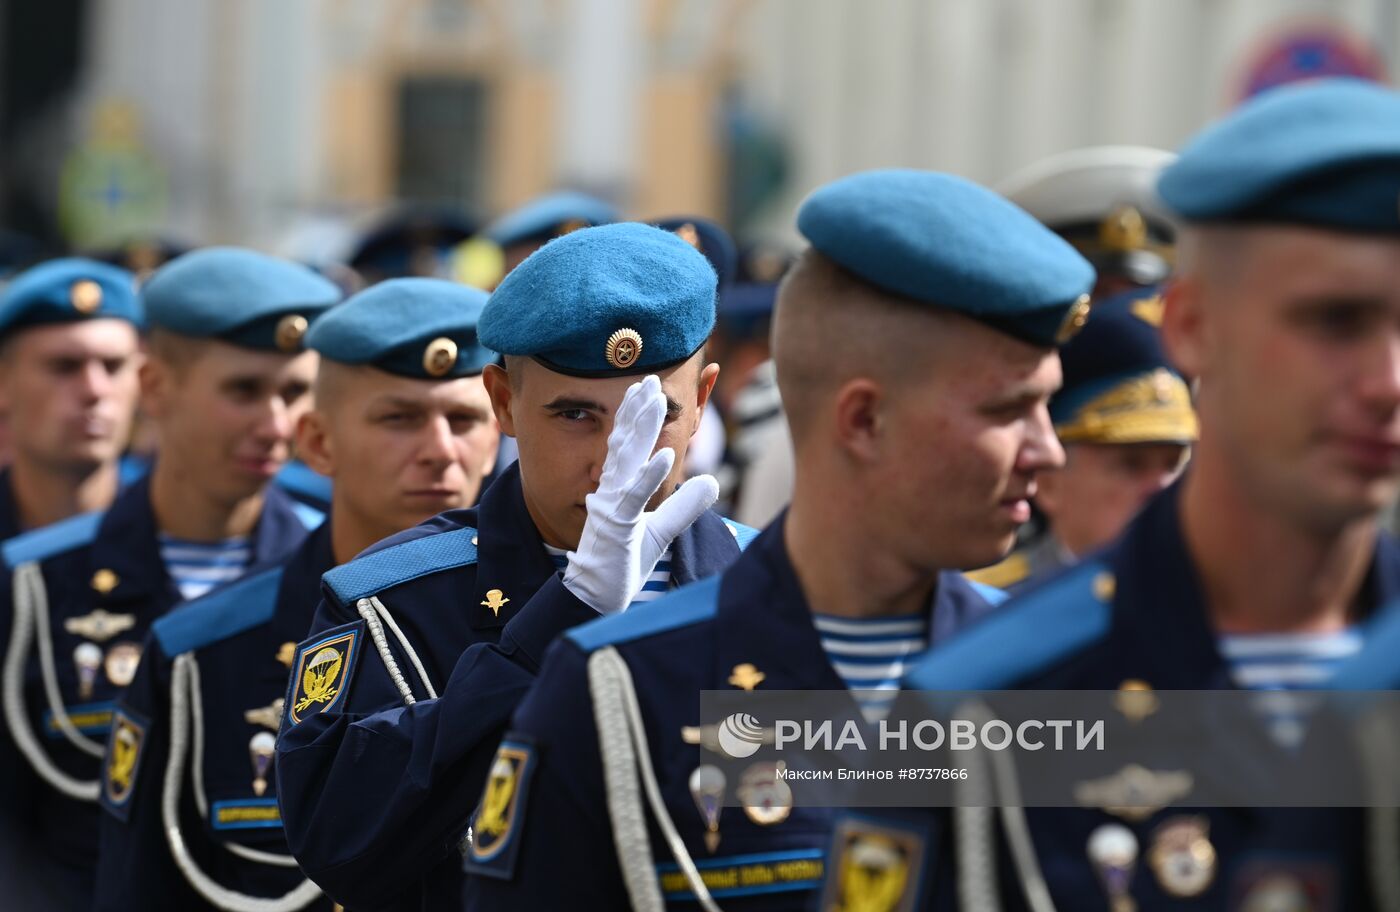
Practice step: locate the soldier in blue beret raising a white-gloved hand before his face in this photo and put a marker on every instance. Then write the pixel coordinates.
(397, 705)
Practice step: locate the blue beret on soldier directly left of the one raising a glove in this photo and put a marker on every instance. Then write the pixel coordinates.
(423, 329)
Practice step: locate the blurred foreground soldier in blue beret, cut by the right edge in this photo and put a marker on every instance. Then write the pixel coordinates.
(1263, 568)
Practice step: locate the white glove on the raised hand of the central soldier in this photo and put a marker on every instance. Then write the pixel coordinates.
(622, 541)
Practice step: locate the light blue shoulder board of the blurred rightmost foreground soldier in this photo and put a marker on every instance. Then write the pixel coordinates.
(1028, 635)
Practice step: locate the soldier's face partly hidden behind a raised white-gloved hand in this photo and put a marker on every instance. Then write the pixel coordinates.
(562, 427)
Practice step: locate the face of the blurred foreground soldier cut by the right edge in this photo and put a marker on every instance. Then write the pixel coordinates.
(1297, 345)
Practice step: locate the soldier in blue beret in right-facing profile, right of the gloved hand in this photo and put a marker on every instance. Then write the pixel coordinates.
(915, 369)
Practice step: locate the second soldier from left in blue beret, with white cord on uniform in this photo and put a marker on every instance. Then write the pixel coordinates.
(225, 383)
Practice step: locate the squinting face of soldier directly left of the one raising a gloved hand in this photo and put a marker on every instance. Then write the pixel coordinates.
(400, 450)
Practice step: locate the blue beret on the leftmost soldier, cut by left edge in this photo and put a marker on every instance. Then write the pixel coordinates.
(66, 291)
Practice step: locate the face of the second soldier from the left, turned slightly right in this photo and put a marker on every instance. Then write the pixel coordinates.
(227, 414)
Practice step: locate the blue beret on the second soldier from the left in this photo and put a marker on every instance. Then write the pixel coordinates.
(237, 296)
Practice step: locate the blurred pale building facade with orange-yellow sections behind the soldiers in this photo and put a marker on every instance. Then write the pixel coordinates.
(253, 120)
